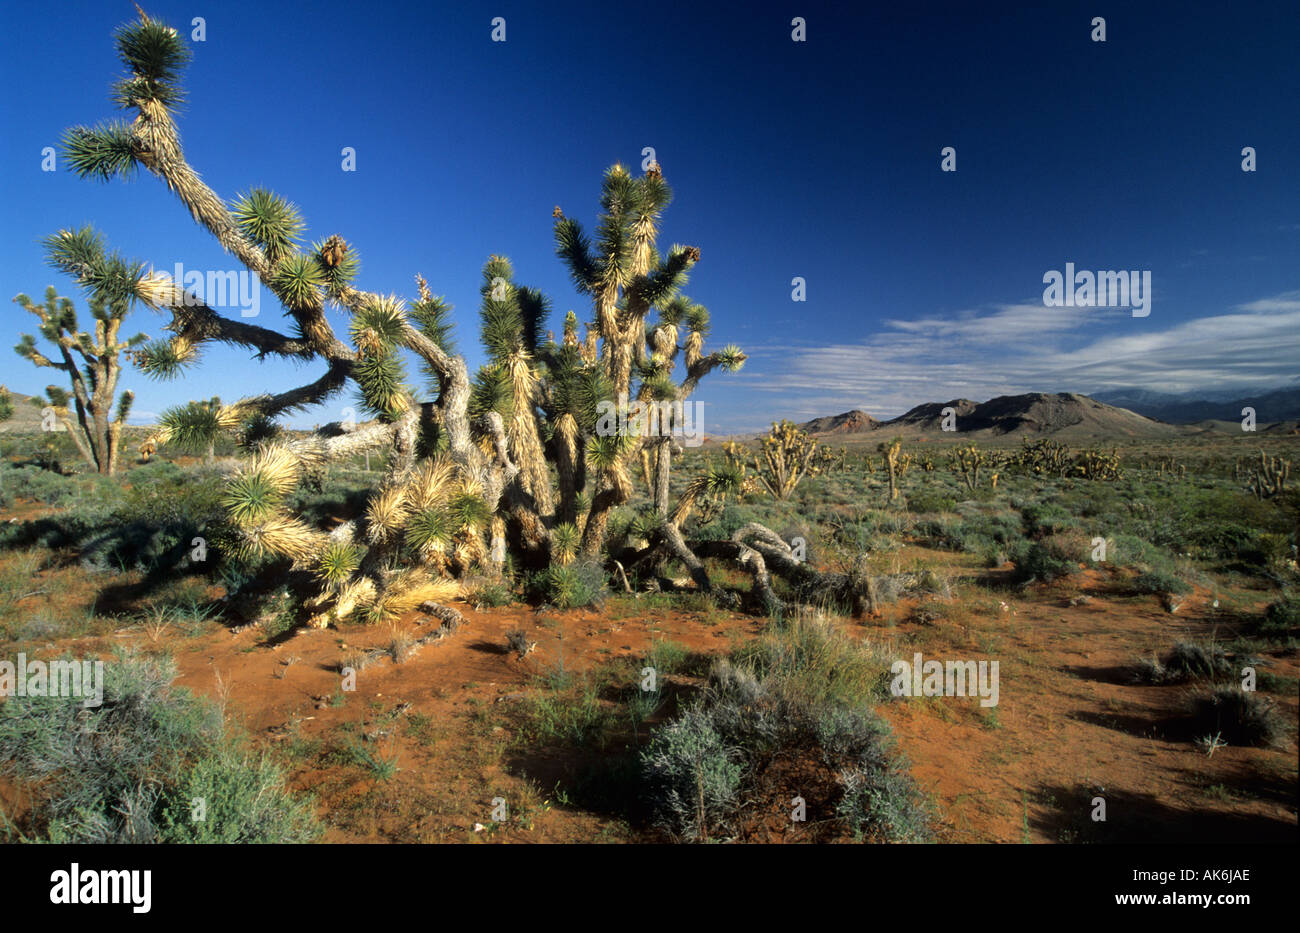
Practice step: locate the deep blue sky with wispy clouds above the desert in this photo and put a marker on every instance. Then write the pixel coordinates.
(817, 160)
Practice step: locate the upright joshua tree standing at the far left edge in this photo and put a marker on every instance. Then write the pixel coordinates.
(97, 429)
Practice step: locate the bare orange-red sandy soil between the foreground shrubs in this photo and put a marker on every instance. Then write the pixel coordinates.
(1069, 726)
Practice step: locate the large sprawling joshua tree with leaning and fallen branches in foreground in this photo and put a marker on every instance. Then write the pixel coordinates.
(469, 480)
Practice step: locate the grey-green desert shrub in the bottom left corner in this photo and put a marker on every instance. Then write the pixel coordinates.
(127, 771)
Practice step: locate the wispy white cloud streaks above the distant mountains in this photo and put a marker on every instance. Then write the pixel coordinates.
(1028, 348)
